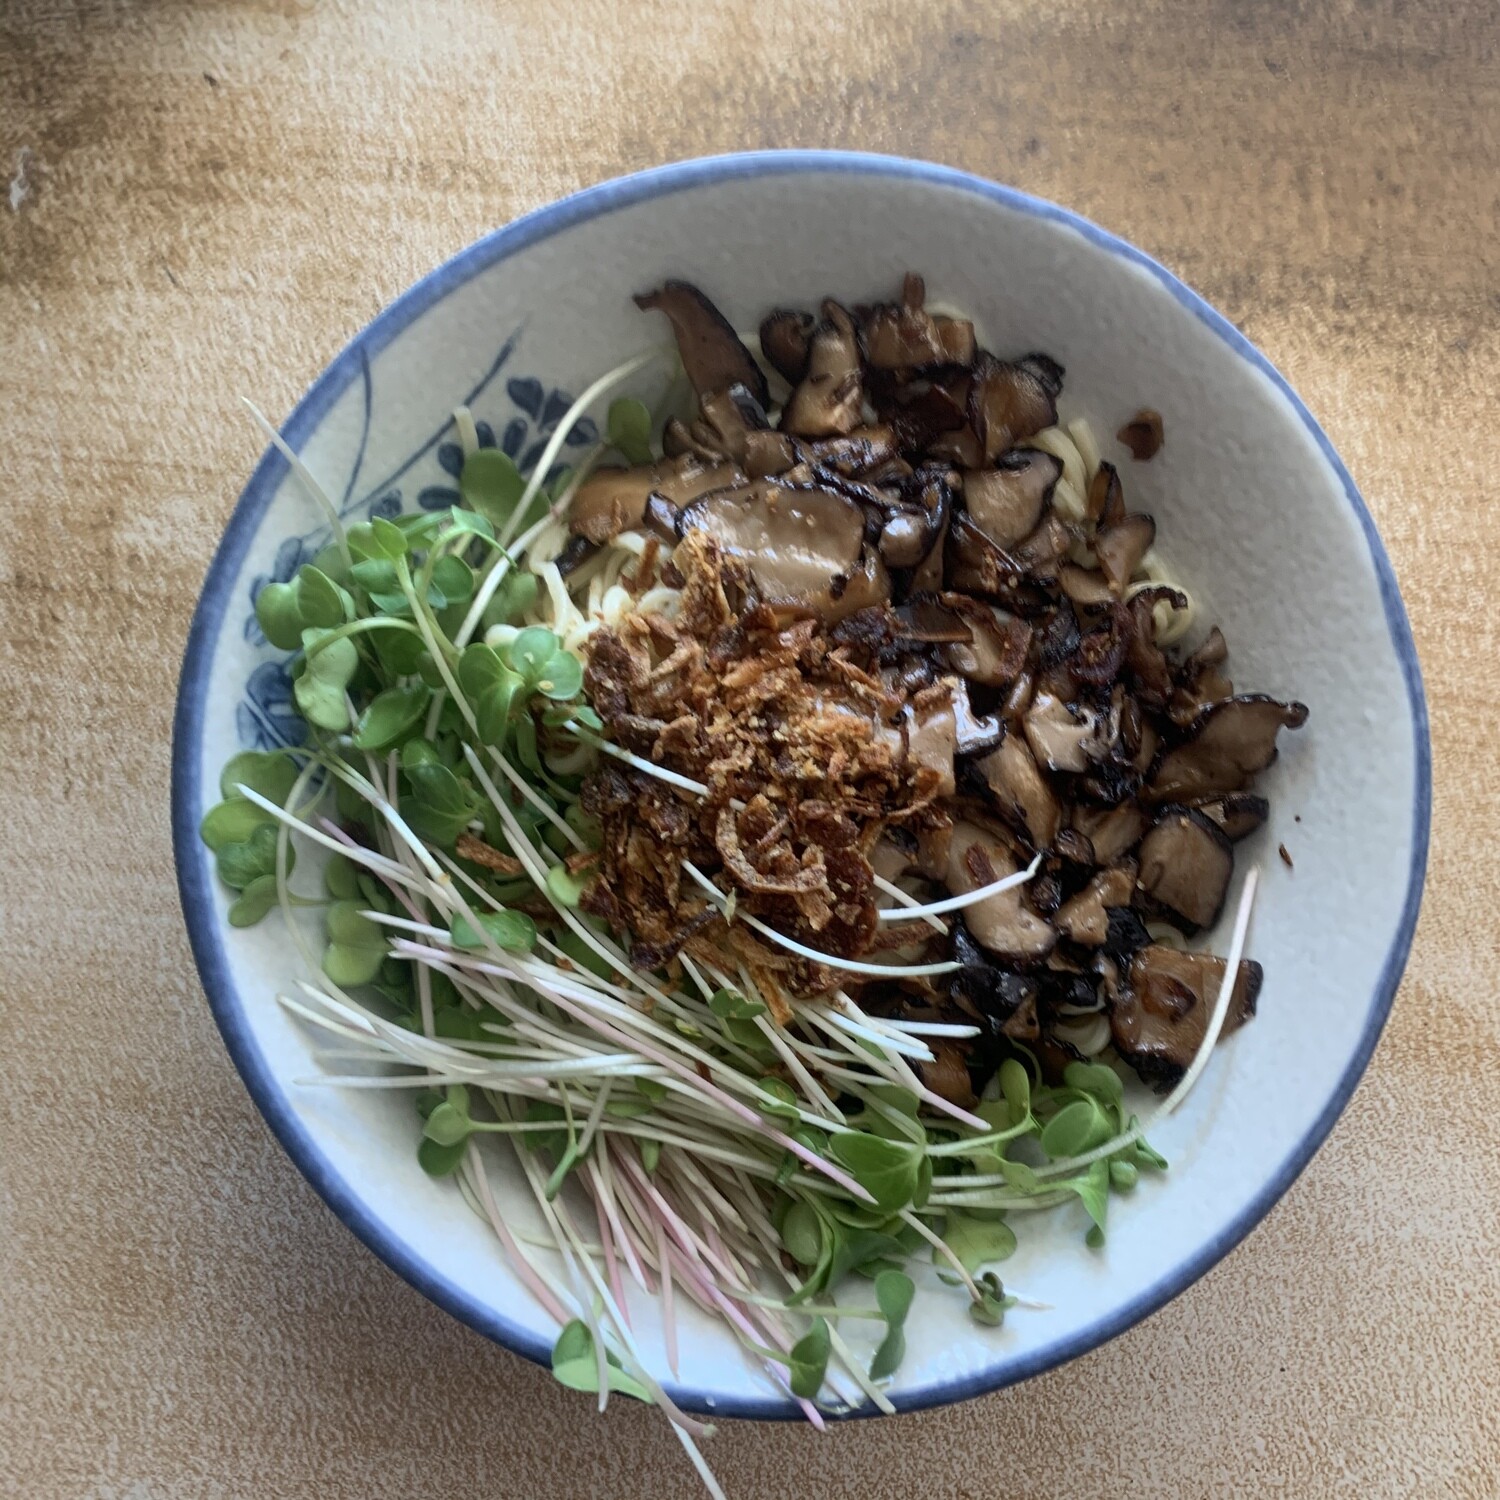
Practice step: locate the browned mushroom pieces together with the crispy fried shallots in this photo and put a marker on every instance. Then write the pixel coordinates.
(886, 529)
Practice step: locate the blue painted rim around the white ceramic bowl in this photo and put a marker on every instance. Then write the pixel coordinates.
(200, 905)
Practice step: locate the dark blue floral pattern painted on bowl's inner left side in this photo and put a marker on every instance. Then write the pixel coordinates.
(527, 418)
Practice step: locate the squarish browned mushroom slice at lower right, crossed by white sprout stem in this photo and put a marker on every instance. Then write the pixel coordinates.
(1162, 1015)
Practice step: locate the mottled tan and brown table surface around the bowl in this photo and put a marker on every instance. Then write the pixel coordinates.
(209, 199)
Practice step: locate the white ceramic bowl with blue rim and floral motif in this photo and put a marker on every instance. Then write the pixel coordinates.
(1255, 511)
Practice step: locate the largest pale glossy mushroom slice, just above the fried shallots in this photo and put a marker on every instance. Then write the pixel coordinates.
(803, 547)
